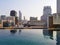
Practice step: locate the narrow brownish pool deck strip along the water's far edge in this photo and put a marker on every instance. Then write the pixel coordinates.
(32, 27)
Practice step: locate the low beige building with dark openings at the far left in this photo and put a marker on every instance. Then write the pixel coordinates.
(8, 21)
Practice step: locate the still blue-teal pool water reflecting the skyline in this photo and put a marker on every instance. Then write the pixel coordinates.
(29, 37)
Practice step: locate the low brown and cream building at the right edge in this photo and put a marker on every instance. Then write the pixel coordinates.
(54, 21)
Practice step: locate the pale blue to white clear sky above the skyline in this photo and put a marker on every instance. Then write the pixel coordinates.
(28, 8)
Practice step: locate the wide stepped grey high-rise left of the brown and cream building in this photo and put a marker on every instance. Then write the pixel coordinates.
(46, 13)
